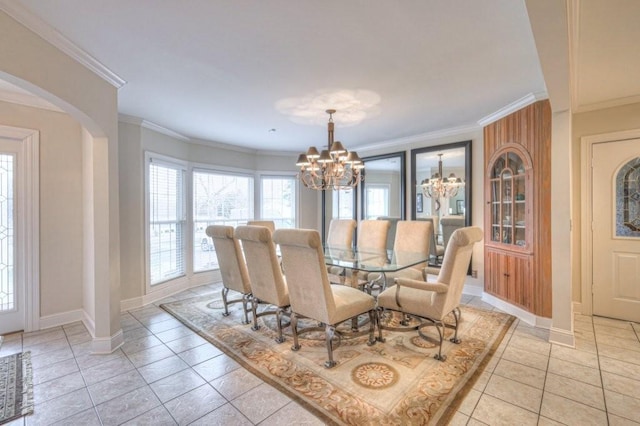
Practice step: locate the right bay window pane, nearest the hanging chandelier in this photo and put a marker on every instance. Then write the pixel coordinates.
(278, 201)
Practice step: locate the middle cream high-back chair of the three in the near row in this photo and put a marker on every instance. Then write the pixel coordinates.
(268, 285)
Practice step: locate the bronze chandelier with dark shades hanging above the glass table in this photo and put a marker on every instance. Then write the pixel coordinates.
(333, 168)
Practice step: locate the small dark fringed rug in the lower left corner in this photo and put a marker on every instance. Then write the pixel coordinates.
(16, 386)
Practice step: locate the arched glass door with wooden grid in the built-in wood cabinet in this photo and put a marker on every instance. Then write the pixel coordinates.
(508, 200)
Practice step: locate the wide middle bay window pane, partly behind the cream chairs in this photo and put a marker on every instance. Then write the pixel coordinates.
(218, 199)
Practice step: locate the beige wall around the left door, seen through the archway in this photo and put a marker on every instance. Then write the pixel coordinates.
(60, 204)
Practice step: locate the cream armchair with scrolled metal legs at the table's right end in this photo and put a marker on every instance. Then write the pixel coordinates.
(434, 301)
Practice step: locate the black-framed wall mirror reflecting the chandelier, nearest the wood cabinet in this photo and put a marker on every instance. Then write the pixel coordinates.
(441, 190)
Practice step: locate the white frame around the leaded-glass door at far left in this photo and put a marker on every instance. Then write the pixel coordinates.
(28, 258)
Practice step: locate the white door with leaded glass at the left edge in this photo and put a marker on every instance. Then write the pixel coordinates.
(12, 288)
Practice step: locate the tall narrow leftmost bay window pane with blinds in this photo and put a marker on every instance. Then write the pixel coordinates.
(166, 222)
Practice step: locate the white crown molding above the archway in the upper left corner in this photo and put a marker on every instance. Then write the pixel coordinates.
(27, 18)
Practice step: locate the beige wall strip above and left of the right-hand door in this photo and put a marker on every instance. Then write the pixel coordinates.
(607, 120)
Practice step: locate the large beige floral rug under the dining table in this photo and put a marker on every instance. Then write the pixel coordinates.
(395, 382)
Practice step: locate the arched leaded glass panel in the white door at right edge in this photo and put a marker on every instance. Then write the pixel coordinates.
(628, 200)
